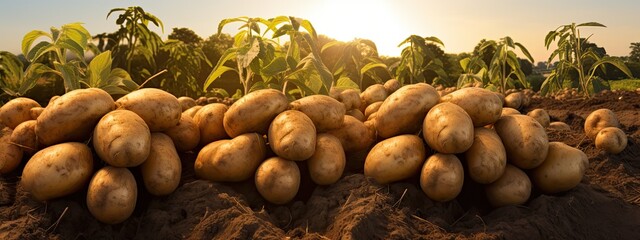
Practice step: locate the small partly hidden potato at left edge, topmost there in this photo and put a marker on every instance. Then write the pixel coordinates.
(16, 111)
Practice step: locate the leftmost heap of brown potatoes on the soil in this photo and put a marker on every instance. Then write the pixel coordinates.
(86, 140)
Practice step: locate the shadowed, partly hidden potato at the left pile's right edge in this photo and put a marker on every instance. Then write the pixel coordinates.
(185, 135)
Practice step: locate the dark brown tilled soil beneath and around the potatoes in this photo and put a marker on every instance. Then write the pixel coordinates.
(606, 205)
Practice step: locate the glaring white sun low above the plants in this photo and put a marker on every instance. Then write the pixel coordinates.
(374, 20)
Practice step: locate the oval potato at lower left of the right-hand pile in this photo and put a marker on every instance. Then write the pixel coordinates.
(395, 158)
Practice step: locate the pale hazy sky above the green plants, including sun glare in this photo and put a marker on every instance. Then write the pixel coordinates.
(459, 24)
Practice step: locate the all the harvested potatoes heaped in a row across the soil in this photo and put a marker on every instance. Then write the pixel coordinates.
(86, 140)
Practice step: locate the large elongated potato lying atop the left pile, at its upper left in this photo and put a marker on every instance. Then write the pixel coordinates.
(73, 116)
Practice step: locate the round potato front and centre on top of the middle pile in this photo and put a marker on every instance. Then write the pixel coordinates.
(292, 136)
